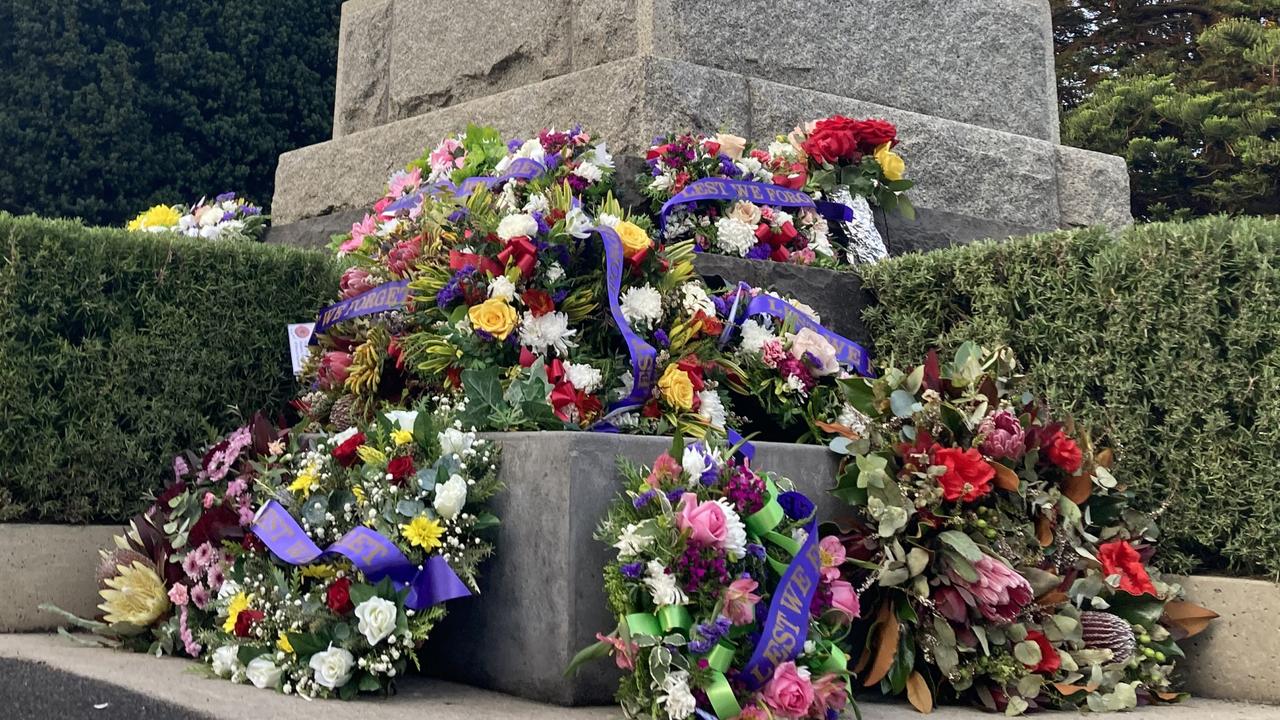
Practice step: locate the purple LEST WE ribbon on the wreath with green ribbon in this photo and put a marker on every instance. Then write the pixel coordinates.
(788, 622)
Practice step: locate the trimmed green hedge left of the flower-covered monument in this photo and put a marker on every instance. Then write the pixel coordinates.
(118, 350)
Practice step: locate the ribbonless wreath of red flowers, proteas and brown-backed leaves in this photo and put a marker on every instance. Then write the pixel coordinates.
(999, 558)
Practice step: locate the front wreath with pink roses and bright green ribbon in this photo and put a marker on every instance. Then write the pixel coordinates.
(702, 540)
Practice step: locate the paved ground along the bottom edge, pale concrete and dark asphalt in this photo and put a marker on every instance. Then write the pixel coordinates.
(49, 678)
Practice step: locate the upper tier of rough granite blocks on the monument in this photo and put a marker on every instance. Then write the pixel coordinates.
(909, 56)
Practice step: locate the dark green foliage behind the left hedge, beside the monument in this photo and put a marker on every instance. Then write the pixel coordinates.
(108, 107)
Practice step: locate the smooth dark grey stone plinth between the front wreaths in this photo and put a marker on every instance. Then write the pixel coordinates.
(543, 599)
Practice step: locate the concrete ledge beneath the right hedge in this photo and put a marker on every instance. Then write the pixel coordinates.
(1238, 657)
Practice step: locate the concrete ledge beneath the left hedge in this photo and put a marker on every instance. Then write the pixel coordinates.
(49, 564)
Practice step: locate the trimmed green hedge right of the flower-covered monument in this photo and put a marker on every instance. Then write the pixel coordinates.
(1165, 339)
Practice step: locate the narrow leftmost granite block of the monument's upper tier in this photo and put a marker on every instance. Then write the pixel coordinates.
(363, 90)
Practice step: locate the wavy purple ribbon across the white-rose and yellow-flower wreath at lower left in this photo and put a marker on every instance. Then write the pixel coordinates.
(376, 557)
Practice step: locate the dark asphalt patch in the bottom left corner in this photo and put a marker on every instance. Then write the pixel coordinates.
(33, 691)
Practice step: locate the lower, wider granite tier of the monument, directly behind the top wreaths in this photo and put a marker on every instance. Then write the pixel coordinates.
(972, 181)
